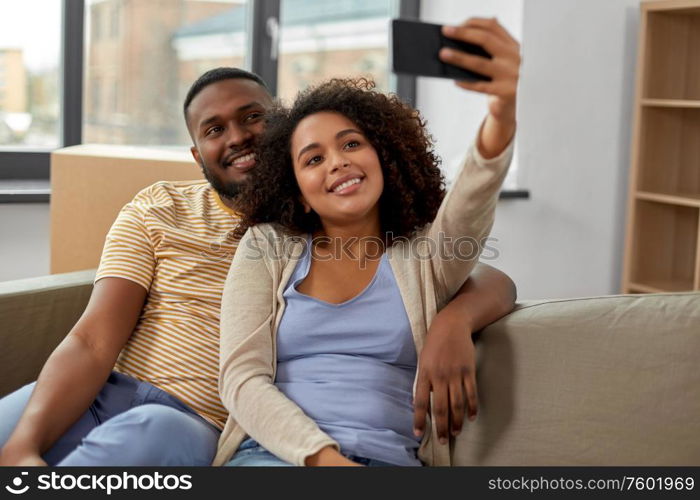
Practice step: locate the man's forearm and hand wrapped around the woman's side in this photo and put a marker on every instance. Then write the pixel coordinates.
(447, 364)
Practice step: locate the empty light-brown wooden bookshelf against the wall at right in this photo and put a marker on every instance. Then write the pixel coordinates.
(662, 247)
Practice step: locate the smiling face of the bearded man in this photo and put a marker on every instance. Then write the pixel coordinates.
(225, 119)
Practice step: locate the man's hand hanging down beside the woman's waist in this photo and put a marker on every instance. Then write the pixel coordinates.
(447, 368)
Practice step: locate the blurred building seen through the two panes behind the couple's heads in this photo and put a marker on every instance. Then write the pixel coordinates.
(162, 46)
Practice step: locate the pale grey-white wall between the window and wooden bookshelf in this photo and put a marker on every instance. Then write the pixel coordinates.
(575, 117)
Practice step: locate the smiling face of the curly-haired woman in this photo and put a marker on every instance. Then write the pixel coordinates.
(337, 169)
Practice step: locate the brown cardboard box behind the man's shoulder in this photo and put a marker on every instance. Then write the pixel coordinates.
(91, 183)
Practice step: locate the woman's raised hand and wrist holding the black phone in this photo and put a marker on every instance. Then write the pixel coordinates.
(504, 70)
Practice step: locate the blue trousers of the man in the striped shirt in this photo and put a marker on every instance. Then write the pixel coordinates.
(130, 423)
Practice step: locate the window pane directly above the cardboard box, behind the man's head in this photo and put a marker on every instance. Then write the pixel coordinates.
(136, 78)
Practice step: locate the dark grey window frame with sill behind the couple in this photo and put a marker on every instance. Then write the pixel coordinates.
(34, 163)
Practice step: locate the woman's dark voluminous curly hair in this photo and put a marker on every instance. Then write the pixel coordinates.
(413, 183)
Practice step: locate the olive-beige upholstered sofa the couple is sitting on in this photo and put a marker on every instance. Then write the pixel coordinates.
(611, 380)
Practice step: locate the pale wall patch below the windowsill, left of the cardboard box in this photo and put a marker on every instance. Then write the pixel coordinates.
(24, 240)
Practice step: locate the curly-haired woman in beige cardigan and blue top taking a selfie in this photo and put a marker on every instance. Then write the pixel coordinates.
(351, 247)
